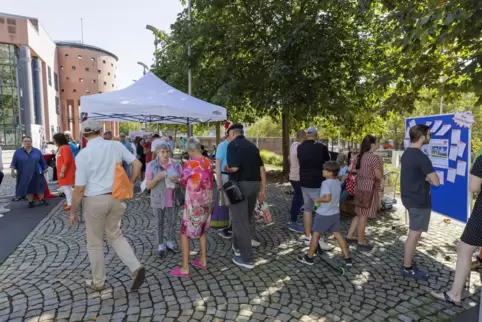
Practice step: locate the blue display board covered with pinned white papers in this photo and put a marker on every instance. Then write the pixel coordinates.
(449, 150)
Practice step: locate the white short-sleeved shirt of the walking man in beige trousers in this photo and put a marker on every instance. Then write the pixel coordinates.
(96, 165)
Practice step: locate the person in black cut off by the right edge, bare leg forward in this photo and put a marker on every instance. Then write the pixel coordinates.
(471, 239)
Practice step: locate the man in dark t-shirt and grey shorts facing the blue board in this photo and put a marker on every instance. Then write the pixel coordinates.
(417, 174)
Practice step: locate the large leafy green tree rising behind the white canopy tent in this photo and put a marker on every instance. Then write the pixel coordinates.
(289, 60)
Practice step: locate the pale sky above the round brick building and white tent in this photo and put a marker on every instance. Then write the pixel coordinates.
(115, 25)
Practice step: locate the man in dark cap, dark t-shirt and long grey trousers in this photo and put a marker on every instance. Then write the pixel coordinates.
(245, 166)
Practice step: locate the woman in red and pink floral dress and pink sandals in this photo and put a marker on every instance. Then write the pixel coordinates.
(197, 177)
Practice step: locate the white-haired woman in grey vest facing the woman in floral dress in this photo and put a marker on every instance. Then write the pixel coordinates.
(162, 176)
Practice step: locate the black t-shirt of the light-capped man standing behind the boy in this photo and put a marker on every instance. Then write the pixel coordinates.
(312, 156)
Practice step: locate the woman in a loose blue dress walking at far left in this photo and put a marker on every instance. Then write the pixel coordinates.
(28, 166)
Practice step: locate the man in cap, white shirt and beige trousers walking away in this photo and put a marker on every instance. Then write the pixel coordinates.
(94, 179)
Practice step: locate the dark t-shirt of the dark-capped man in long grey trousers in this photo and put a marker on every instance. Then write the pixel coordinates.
(244, 155)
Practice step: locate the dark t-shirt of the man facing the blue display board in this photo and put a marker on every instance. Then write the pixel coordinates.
(414, 188)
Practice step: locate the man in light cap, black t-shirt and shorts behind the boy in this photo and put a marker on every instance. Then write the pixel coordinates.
(311, 156)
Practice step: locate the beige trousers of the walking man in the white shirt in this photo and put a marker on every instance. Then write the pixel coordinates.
(104, 214)
